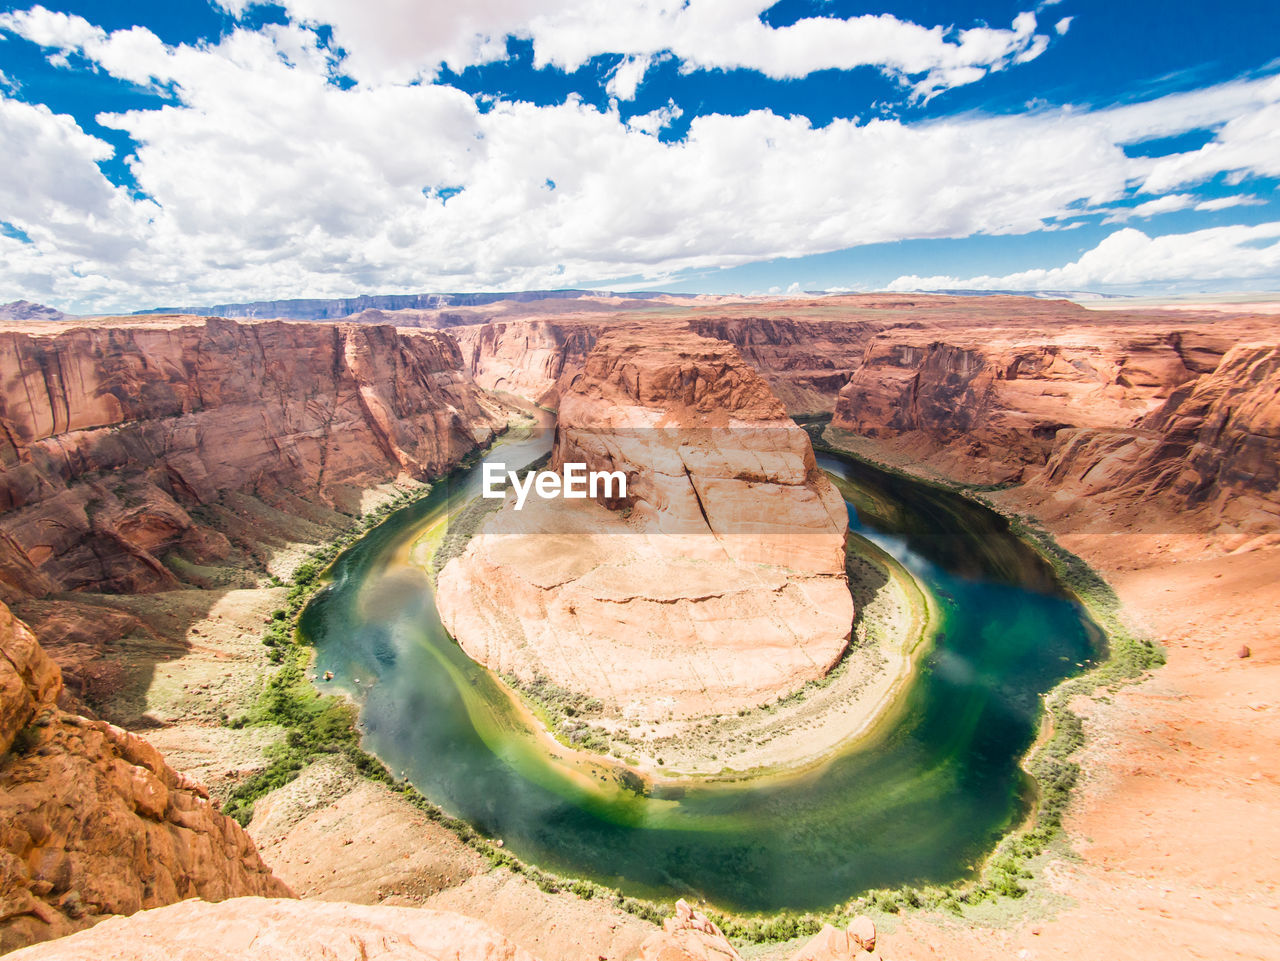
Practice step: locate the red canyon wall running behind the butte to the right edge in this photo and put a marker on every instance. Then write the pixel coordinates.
(1145, 410)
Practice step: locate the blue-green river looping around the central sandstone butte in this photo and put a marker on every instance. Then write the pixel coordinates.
(921, 800)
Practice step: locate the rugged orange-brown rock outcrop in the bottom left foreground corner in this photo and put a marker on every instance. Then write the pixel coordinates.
(93, 822)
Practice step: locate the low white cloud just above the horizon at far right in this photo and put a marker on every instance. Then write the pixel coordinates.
(1131, 258)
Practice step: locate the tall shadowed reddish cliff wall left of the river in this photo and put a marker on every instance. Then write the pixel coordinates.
(115, 436)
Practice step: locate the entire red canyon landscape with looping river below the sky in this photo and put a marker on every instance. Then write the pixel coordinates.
(830, 610)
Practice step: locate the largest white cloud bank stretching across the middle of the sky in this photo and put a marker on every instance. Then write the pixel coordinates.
(262, 177)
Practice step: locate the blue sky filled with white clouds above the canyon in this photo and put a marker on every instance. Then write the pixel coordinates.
(182, 153)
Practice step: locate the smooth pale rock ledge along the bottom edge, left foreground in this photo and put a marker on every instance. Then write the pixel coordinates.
(262, 930)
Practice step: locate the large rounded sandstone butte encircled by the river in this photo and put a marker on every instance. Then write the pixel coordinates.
(717, 584)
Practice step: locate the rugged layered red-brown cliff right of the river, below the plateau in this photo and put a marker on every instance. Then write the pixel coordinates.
(1144, 415)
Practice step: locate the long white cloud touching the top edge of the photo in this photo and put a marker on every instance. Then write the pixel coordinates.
(399, 40)
